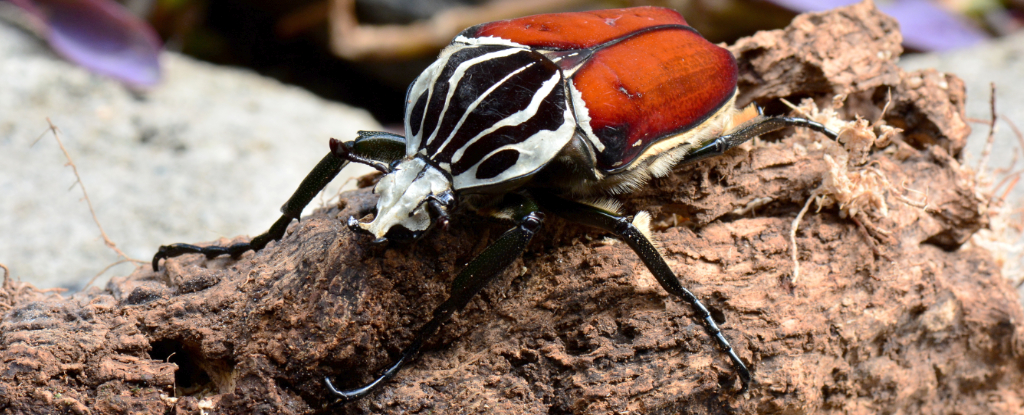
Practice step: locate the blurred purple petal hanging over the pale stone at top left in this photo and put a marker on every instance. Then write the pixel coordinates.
(102, 36)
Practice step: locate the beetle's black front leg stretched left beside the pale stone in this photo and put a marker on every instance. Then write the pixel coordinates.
(375, 149)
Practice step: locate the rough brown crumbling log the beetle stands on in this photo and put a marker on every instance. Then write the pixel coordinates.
(890, 314)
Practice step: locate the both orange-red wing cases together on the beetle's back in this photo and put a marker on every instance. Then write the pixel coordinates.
(651, 75)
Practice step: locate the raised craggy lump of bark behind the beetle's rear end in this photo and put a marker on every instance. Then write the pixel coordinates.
(852, 52)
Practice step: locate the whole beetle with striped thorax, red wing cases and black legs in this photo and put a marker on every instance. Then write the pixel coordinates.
(542, 115)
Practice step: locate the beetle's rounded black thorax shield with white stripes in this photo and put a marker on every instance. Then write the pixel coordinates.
(488, 114)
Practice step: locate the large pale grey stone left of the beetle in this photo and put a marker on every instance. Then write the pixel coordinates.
(212, 152)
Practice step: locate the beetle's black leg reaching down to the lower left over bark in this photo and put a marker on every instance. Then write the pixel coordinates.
(471, 281)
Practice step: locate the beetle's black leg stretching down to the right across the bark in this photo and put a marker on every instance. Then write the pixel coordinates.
(626, 231)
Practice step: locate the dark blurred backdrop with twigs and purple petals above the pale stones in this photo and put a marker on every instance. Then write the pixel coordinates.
(366, 53)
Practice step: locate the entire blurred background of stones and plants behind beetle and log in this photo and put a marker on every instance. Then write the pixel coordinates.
(191, 120)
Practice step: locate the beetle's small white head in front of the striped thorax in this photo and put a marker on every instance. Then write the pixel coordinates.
(408, 194)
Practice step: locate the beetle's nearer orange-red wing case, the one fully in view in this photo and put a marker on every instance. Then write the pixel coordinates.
(651, 88)
